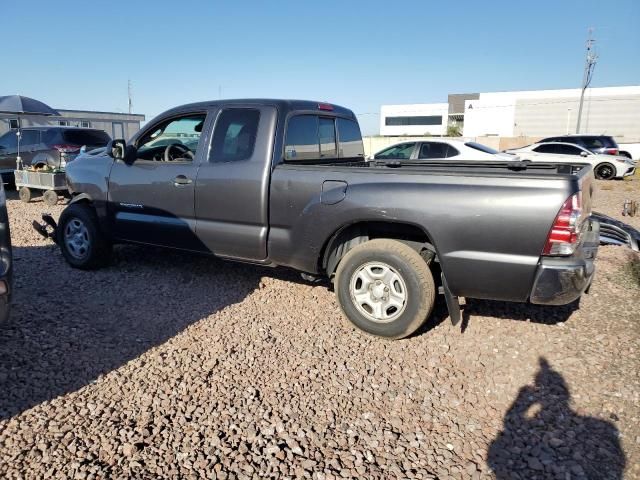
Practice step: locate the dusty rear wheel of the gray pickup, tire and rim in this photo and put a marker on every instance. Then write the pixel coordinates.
(415, 279)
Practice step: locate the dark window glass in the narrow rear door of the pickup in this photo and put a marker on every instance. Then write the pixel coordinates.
(235, 135)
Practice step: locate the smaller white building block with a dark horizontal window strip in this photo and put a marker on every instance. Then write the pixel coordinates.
(427, 109)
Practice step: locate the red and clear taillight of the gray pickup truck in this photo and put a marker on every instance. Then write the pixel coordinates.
(565, 232)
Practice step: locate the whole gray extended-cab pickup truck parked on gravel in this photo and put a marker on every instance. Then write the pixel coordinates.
(283, 182)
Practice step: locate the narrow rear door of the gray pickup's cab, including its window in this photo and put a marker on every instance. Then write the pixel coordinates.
(232, 188)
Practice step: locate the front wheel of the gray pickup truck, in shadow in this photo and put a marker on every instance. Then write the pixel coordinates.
(97, 250)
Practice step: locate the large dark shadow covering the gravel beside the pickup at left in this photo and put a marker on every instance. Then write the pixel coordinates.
(68, 327)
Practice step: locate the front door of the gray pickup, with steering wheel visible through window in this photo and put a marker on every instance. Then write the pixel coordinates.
(152, 200)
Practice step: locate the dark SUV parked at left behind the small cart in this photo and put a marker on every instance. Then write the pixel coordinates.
(53, 146)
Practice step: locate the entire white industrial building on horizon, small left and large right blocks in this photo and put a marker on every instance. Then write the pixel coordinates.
(609, 110)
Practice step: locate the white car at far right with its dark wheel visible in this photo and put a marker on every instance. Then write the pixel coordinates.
(605, 166)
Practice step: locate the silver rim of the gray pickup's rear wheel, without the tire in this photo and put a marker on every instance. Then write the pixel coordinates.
(378, 291)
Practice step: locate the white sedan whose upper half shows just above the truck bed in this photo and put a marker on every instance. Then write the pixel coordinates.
(441, 149)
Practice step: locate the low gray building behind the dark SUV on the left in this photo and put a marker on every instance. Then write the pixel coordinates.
(115, 124)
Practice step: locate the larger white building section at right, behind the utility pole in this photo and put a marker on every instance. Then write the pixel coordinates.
(611, 110)
